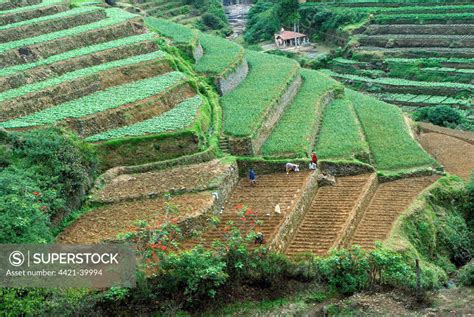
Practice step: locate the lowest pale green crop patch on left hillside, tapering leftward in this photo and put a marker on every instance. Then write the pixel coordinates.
(175, 119)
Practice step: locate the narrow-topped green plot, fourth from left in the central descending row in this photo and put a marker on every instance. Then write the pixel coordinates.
(295, 132)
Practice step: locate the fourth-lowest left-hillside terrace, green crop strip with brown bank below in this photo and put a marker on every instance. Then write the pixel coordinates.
(70, 61)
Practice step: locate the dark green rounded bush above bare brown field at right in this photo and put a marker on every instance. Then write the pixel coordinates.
(440, 115)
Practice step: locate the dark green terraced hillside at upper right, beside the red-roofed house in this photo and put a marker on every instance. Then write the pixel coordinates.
(403, 53)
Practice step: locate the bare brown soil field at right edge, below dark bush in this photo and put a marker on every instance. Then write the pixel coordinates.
(456, 155)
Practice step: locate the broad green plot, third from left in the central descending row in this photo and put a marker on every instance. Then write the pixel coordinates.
(268, 78)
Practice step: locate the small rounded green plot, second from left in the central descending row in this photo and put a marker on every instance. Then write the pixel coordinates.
(220, 55)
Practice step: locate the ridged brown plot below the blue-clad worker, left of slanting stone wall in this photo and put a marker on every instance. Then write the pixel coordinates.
(271, 190)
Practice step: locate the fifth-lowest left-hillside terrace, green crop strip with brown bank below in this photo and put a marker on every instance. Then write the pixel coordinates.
(118, 25)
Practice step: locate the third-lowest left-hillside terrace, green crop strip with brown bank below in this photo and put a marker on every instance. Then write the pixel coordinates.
(41, 95)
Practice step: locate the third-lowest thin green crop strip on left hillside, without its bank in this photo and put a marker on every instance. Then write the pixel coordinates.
(14, 93)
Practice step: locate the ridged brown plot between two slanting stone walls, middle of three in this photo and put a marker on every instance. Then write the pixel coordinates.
(329, 214)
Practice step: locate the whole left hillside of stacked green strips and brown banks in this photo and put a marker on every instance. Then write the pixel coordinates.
(55, 61)
